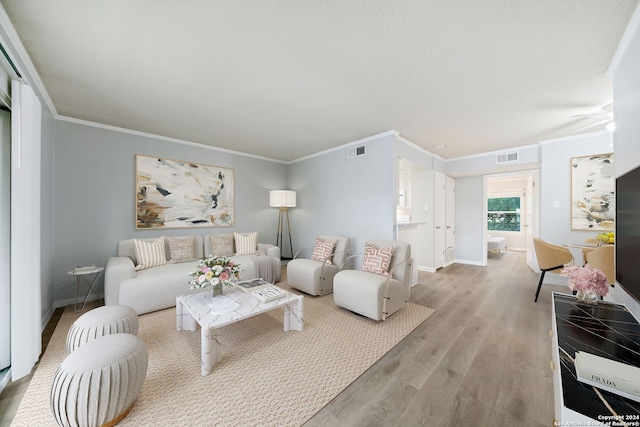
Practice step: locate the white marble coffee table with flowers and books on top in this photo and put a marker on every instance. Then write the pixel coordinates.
(196, 309)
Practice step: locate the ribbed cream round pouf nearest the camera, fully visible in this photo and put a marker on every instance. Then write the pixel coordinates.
(97, 384)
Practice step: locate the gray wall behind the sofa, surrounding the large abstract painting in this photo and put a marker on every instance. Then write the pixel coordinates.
(94, 200)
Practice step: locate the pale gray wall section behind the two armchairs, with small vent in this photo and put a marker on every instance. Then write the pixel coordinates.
(351, 197)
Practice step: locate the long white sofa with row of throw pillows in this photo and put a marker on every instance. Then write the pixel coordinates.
(156, 288)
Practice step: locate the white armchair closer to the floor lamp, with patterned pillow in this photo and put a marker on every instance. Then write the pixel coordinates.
(315, 276)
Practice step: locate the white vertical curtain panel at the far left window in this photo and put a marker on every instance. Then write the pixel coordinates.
(26, 340)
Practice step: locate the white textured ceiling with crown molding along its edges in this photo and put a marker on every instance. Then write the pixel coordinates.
(285, 79)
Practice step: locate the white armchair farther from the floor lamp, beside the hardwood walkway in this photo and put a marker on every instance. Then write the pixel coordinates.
(375, 295)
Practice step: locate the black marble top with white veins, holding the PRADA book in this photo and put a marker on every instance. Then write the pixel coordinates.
(606, 330)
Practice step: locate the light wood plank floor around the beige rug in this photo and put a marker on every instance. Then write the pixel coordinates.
(482, 359)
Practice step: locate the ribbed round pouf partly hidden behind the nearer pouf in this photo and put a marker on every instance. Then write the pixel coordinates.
(101, 321)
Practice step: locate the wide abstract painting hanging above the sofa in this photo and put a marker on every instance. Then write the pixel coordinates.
(182, 194)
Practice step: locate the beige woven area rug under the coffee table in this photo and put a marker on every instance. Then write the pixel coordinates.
(266, 377)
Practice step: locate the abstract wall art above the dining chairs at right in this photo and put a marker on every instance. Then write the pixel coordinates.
(593, 202)
